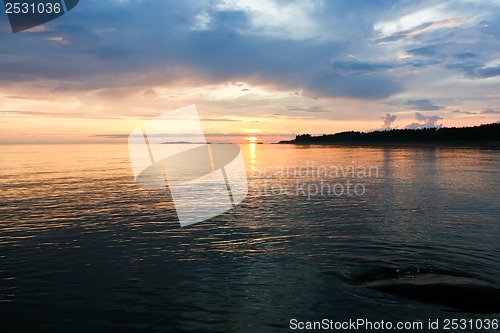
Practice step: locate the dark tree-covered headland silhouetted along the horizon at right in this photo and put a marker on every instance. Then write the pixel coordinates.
(483, 135)
